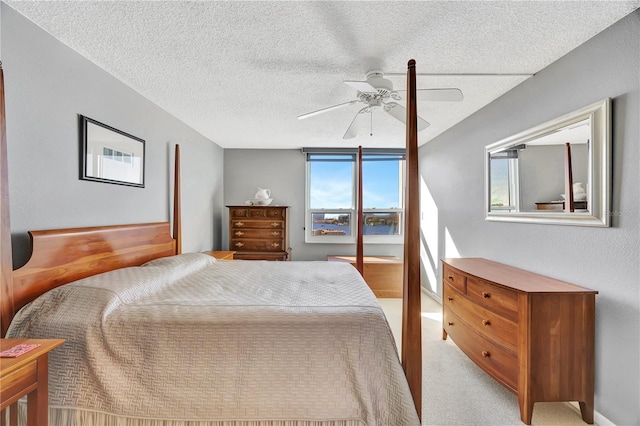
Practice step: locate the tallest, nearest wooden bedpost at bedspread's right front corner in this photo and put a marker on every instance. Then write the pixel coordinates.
(411, 310)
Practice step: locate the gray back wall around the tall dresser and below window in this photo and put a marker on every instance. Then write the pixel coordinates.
(284, 173)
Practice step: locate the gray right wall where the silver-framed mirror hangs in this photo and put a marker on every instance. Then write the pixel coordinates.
(604, 259)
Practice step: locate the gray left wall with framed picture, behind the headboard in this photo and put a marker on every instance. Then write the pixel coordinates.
(47, 86)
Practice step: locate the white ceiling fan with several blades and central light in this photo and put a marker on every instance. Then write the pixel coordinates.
(377, 92)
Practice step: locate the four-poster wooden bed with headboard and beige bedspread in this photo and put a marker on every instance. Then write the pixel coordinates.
(156, 337)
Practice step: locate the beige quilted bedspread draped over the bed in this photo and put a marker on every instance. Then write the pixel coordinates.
(189, 338)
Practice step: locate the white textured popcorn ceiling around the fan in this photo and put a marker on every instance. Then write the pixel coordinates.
(240, 72)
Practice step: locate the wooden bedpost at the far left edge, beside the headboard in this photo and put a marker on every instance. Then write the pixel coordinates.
(6, 263)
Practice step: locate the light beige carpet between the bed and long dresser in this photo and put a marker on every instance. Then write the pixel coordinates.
(455, 391)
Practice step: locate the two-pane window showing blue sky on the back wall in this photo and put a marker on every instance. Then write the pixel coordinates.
(331, 195)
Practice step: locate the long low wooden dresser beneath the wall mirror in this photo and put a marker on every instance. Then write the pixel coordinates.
(531, 333)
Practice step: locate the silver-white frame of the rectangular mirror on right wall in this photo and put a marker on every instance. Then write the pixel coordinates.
(599, 169)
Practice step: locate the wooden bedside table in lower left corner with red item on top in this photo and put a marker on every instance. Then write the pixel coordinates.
(26, 374)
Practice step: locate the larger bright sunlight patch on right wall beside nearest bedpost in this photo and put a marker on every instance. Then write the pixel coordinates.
(428, 234)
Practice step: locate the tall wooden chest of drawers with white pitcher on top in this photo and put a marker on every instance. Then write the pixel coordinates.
(259, 232)
